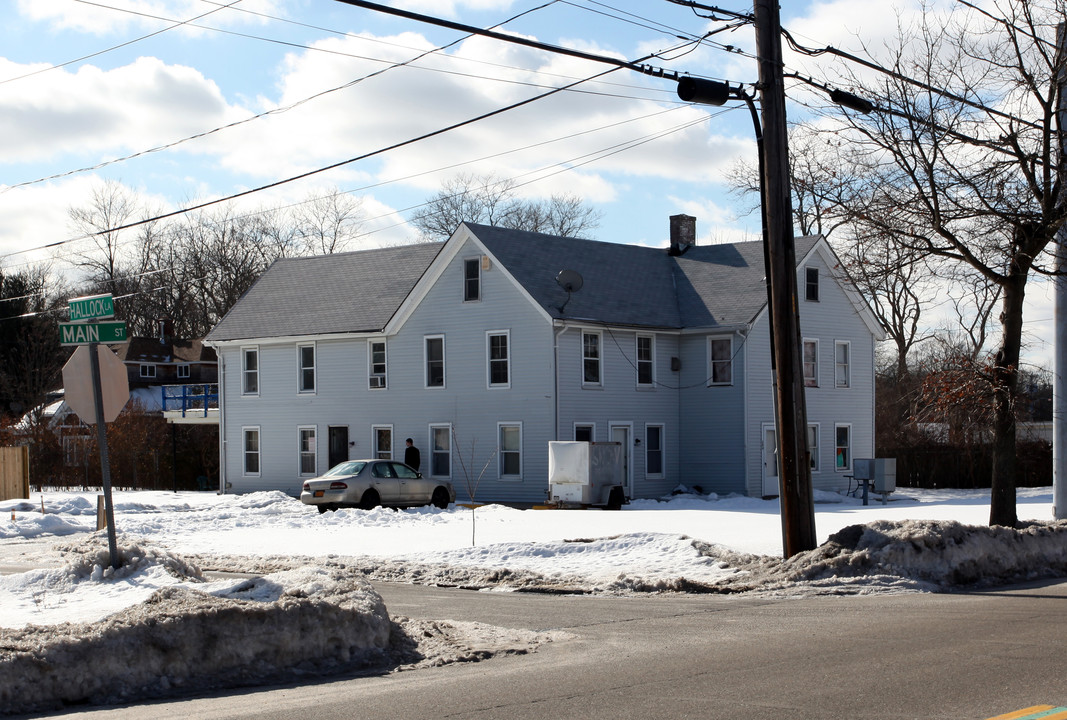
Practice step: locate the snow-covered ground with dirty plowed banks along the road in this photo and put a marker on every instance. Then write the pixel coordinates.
(62, 603)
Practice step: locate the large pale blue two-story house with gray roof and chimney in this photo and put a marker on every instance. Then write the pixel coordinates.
(488, 346)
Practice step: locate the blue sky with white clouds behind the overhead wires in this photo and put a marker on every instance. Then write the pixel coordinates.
(87, 84)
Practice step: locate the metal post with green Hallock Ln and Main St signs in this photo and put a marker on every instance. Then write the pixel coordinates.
(86, 330)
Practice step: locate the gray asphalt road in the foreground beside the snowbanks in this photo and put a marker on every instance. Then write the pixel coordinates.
(932, 658)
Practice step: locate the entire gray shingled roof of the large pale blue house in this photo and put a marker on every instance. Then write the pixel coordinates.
(707, 286)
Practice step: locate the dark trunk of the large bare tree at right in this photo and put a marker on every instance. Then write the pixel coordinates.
(1002, 505)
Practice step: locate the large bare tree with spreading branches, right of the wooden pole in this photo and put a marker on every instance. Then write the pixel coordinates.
(969, 175)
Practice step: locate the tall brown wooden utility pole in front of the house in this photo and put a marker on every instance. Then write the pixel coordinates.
(794, 468)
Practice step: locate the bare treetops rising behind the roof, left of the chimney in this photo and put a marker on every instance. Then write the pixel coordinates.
(489, 200)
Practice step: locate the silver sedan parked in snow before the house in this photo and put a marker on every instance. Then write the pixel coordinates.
(369, 484)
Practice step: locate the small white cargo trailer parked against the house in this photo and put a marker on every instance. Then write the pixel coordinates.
(583, 473)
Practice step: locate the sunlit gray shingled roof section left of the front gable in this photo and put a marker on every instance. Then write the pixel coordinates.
(346, 293)
